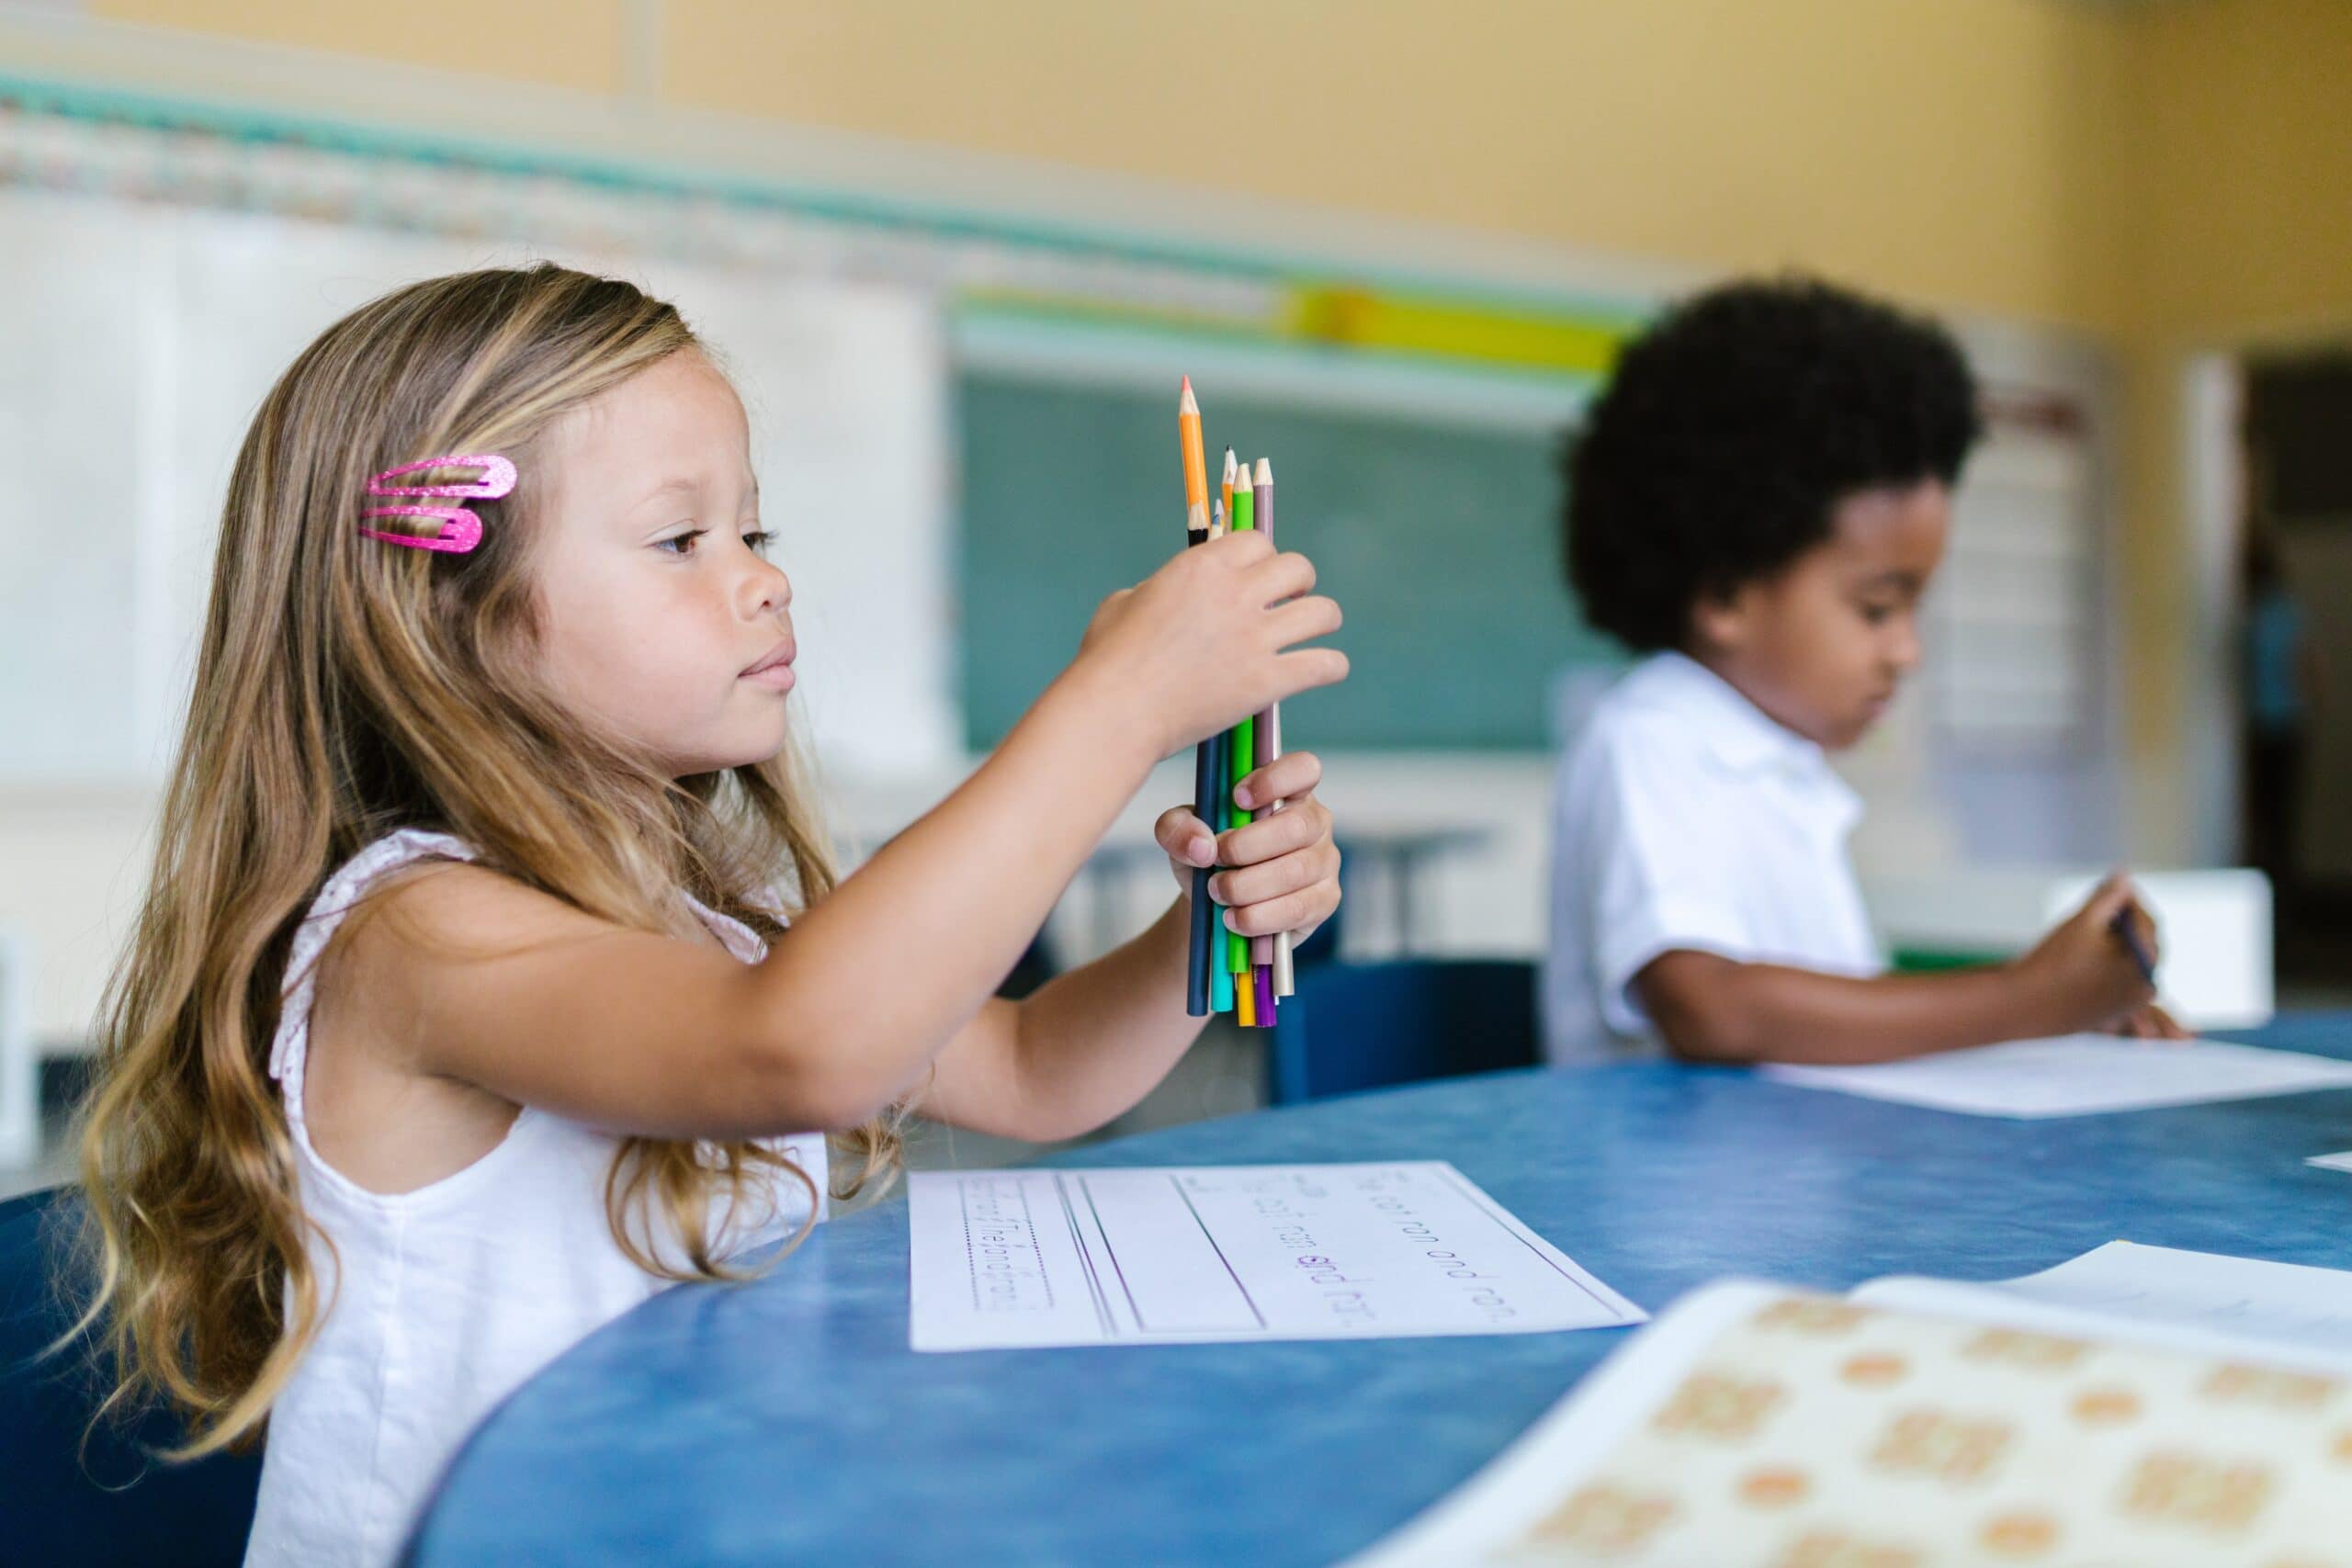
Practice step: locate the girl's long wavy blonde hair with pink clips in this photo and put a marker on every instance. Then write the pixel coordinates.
(345, 690)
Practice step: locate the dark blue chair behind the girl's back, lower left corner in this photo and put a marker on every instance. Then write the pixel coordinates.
(112, 1503)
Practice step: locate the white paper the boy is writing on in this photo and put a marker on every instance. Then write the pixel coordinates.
(2078, 1076)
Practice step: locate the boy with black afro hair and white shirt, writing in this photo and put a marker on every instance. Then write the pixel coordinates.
(1756, 507)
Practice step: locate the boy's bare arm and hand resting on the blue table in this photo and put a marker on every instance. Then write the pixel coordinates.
(1720, 1010)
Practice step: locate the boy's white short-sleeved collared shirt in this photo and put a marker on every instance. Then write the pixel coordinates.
(1688, 819)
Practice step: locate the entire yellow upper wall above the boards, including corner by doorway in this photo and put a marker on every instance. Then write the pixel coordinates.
(2160, 173)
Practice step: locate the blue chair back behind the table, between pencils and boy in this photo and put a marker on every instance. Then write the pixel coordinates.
(1368, 1026)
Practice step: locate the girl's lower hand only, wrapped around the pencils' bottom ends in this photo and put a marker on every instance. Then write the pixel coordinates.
(1283, 871)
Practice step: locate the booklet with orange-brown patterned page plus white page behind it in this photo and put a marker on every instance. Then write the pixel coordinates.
(2125, 1407)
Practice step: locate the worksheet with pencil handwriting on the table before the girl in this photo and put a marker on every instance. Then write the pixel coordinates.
(1215, 1254)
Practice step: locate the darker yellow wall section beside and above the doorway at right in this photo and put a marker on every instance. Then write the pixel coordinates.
(2238, 236)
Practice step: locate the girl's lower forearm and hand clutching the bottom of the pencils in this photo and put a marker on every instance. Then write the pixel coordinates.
(1093, 1043)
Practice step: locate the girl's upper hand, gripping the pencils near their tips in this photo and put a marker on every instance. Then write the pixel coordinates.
(1208, 641)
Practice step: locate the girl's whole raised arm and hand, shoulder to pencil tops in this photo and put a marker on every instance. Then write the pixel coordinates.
(516, 993)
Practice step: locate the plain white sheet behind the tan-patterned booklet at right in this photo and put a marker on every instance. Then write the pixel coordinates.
(2165, 1296)
